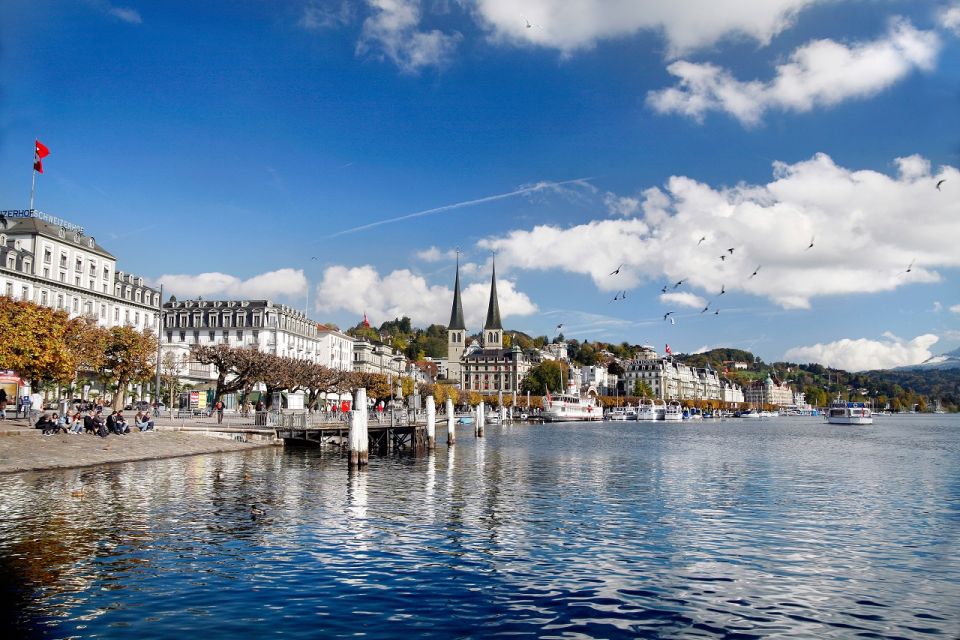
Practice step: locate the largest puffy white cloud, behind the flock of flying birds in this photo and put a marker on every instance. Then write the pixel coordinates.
(858, 220)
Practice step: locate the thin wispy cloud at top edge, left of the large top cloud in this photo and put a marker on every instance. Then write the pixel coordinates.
(393, 29)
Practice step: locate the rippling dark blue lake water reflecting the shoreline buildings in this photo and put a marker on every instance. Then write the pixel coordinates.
(787, 528)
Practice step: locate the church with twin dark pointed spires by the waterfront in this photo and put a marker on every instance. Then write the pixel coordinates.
(484, 366)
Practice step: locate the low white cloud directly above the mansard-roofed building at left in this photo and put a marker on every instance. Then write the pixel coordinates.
(282, 282)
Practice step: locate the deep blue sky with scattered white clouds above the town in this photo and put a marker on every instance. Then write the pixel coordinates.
(333, 155)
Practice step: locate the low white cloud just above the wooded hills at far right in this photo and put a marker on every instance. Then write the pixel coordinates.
(864, 354)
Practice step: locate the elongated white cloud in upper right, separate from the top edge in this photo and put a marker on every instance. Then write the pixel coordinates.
(821, 73)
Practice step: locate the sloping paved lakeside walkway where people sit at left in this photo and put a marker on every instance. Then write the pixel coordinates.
(23, 448)
